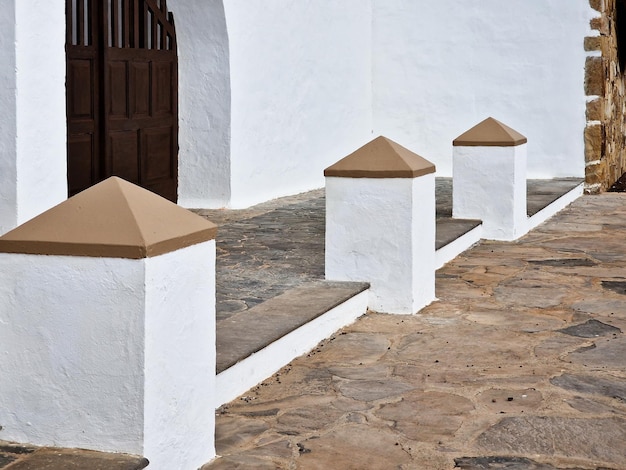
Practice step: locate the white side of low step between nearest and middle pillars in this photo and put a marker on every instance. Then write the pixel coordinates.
(246, 374)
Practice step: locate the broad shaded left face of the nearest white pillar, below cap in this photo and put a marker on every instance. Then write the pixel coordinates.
(69, 354)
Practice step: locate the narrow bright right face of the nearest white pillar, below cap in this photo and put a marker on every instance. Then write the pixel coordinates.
(180, 351)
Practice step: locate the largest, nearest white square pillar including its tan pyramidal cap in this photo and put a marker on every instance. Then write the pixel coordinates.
(107, 327)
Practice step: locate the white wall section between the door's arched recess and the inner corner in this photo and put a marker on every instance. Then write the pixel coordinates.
(301, 92)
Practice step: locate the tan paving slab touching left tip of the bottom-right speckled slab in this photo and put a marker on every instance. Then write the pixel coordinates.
(427, 417)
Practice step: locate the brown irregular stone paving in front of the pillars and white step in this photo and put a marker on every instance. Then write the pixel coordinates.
(519, 365)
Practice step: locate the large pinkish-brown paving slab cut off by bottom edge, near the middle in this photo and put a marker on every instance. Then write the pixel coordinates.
(353, 447)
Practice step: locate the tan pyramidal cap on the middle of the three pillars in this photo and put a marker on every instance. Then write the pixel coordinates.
(381, 158)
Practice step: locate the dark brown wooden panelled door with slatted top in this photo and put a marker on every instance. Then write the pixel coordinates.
(122, 94)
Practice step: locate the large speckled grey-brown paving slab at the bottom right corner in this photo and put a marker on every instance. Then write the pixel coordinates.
(599, 440)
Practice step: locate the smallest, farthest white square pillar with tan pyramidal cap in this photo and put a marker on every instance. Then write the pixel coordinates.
(489, 179)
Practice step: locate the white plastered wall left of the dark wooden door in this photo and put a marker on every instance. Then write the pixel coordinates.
(32, 98)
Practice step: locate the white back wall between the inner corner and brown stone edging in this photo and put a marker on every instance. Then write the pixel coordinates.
(440, 67)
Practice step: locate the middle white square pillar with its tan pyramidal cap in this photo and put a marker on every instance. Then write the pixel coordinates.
(380, 225)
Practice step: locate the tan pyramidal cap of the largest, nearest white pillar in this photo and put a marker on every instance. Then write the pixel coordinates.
(113, 219)
